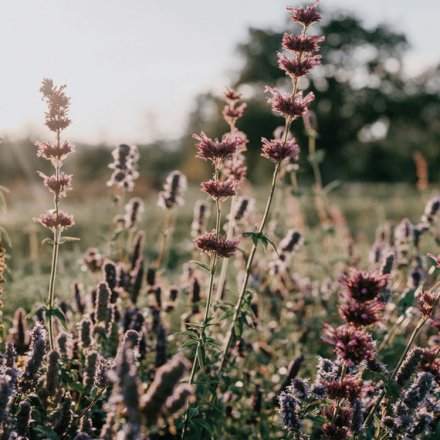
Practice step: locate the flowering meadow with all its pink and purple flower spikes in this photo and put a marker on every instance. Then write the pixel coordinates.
(246, 324)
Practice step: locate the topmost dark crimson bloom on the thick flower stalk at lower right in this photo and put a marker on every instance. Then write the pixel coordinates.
(364, 286)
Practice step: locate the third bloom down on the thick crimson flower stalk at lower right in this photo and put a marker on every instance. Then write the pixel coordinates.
(351, 344)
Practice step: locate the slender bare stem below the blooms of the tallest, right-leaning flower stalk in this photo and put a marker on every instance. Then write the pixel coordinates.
(250, 261)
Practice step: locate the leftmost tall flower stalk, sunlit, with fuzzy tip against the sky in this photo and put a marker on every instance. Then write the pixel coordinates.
(56, 119)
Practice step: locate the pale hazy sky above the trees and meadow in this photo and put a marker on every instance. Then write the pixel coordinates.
(133, 67)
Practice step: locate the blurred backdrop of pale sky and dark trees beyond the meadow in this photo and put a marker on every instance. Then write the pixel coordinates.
(152, 73)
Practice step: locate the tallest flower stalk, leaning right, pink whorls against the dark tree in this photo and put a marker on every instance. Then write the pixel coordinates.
(292, 107)
